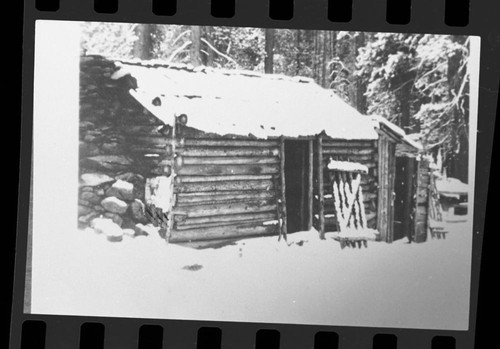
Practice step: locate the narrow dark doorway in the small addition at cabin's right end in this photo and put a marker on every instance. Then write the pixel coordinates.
(404, 200)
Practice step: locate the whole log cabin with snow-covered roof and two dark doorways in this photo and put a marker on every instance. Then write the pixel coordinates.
(228, 154)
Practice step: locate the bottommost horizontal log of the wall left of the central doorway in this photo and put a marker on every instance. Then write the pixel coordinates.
(230, 231)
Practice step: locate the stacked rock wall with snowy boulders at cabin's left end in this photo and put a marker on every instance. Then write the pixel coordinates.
(112, 178)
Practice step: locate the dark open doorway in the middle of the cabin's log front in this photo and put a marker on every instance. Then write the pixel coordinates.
(297, 178)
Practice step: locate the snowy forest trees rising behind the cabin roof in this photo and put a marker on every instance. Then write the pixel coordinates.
(417, 81)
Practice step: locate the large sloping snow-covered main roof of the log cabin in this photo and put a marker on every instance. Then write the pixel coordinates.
(244, 102)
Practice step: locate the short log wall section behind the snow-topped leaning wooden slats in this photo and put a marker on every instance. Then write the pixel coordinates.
(361, 151)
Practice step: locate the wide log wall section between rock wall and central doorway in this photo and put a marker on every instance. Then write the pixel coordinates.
(226, 188)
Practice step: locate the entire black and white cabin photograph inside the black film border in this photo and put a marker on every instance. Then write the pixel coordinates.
(243, 174)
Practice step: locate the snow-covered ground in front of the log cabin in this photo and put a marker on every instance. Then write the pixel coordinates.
(258, 280)
